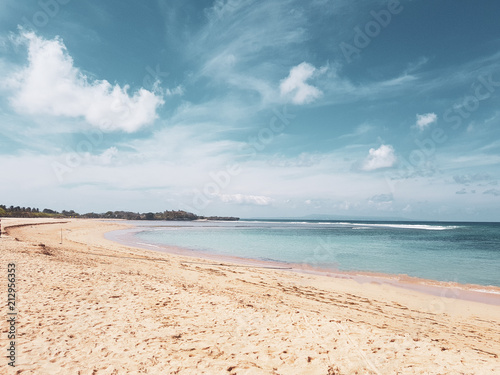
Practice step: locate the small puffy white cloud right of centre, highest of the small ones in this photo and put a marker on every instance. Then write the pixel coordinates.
(295, 86)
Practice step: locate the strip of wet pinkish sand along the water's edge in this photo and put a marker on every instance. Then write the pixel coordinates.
(488, 294)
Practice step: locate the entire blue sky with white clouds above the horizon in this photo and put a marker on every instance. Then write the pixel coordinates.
(276, 108)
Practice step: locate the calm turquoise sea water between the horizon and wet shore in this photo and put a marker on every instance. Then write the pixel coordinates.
(460, 252)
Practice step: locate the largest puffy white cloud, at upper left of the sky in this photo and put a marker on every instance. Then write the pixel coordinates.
(52, 85)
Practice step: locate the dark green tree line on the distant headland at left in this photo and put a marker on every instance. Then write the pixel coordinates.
(125, 215)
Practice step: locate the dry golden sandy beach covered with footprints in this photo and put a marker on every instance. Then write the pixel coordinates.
(93, 306)
